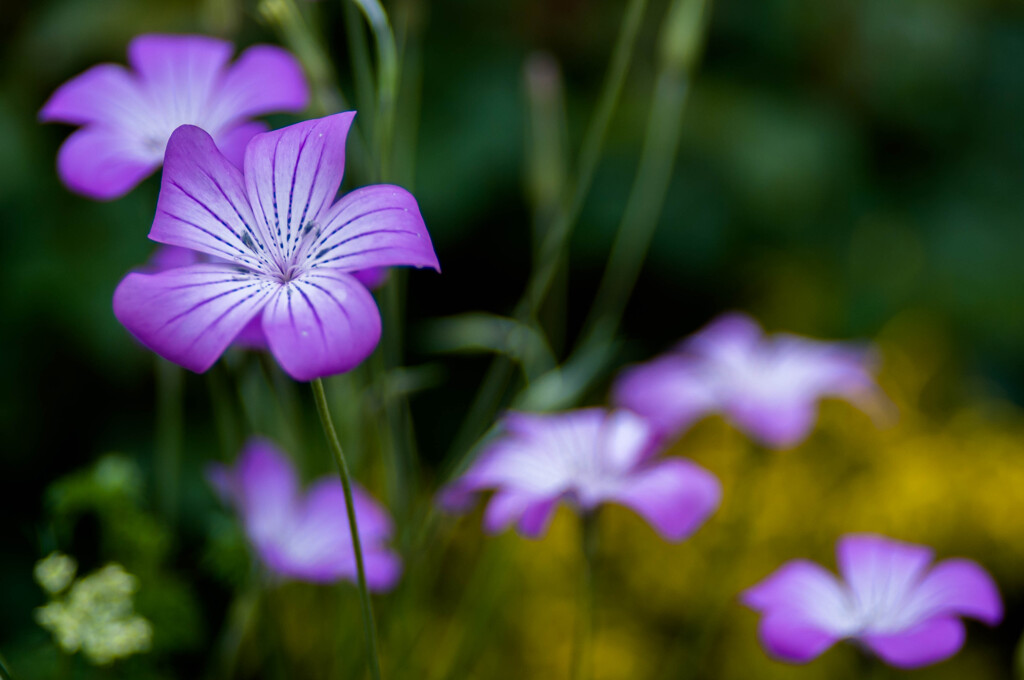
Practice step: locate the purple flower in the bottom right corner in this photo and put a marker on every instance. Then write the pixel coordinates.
(889, 601)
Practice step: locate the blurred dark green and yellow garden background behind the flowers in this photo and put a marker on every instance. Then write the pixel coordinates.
(847, 169)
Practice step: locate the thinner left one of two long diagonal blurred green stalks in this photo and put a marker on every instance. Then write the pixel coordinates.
(490, 396)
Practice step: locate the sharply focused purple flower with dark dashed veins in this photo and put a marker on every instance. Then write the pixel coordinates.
(288, 251)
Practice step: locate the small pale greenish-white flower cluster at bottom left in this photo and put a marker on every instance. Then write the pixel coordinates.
(96, 616)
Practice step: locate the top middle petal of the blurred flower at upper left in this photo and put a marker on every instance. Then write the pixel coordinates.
(180, 73)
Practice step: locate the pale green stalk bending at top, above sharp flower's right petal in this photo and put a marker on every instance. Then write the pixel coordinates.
(388, 81)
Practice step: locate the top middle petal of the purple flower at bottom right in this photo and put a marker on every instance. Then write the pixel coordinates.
(882, 573)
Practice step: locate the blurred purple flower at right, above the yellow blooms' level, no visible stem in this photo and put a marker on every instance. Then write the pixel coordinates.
(769, 387)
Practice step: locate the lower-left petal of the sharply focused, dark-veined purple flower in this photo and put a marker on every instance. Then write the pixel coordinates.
(190, 315)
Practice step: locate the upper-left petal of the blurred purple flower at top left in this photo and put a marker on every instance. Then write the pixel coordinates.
(108, 95)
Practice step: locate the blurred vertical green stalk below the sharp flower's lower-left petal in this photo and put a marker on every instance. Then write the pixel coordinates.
(169, 423)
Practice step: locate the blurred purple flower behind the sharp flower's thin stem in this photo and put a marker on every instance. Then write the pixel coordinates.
(306, 537)
